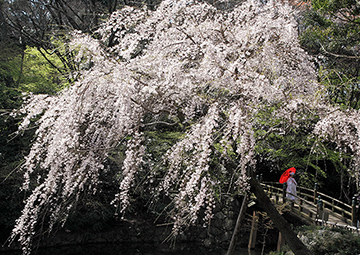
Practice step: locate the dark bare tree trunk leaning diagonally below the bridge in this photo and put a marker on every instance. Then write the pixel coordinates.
(282, 225)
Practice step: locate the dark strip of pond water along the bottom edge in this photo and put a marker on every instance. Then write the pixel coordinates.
(121, 249)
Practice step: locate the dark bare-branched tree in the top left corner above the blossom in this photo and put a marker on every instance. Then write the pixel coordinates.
(46, 24)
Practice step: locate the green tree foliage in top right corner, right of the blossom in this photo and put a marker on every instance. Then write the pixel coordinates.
(332, 34)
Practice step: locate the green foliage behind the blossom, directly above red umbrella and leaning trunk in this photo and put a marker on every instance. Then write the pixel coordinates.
(282, 145)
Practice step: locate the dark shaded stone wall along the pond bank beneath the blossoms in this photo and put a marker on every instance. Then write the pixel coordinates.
(218, 234)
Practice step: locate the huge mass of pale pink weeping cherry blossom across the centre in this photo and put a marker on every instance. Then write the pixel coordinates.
(214, 70)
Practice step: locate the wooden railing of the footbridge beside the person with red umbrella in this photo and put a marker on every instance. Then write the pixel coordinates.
(316, 203)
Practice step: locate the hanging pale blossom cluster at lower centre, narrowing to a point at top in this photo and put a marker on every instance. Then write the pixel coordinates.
(188, 164)
